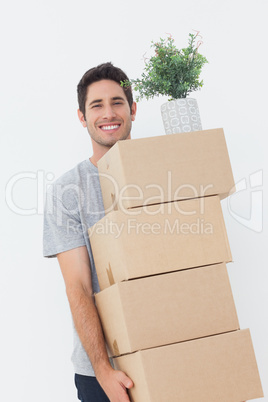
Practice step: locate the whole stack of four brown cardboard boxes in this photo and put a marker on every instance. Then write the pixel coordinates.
(165, 303)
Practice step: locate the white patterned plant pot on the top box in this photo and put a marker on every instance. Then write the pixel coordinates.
(180, 116)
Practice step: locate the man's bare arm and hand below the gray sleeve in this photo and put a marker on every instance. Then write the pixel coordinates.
(75, 268)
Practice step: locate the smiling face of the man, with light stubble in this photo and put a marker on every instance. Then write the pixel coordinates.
(108, 117)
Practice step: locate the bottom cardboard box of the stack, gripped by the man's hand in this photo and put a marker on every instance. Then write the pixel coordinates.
(219, 368)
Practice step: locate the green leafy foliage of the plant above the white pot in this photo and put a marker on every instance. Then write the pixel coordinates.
(170, 71)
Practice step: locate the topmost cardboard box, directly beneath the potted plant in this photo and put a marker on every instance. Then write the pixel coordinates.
(165, 168)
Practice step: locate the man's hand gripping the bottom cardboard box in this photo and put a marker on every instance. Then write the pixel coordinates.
(115, 384)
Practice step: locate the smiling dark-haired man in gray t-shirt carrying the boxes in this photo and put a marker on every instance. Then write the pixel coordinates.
(74, 203)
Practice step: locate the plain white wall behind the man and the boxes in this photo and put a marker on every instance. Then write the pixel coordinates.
(46, 47)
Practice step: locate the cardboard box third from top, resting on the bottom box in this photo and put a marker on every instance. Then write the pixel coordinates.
(169, 308)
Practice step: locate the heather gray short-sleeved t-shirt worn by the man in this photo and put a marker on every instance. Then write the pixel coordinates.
(74, 204)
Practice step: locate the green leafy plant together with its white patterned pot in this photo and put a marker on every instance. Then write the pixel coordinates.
(174, 73)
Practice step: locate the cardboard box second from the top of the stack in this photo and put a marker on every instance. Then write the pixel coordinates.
(160, 238)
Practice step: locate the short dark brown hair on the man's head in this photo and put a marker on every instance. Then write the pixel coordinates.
(105, 71)
